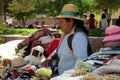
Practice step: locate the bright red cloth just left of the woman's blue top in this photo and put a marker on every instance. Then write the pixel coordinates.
(53, 46)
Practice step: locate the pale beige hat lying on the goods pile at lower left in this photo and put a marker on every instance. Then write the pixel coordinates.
(18, 63)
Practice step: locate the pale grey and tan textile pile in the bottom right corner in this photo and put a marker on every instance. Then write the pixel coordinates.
(109, 71)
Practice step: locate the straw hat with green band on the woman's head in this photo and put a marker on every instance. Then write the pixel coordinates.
(69, 11)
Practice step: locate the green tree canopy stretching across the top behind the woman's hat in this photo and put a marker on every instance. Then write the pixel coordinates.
(25, 9)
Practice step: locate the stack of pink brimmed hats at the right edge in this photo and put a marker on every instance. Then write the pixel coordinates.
(112, 35)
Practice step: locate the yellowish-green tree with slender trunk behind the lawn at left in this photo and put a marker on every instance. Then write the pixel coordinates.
(22, 10)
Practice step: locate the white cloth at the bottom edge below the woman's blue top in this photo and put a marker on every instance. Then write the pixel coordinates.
(66, 76)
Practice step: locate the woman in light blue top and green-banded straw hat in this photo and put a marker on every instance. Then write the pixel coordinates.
(68, 21)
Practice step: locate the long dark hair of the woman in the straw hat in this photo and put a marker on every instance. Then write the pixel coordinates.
(79, 25)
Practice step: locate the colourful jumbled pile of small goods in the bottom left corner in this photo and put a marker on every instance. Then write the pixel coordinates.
(18, 69)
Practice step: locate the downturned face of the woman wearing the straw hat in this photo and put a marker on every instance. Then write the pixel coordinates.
(65, 26)
